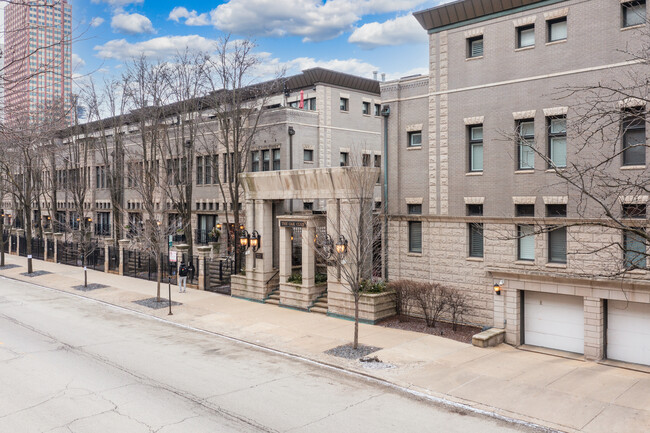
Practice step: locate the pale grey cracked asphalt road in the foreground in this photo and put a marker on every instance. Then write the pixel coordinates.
(69, 364)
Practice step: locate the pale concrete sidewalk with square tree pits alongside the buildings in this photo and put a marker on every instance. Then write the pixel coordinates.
(559, 393)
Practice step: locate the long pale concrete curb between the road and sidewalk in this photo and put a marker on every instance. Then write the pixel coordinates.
(491, 413)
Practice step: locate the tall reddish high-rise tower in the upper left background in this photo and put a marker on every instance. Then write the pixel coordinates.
(37, 78)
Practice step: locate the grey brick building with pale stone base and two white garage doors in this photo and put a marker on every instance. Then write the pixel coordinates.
(474, 197)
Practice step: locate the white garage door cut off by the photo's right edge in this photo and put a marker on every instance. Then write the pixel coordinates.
(628, 332)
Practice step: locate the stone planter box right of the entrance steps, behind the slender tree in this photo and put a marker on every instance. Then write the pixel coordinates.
(373, 307)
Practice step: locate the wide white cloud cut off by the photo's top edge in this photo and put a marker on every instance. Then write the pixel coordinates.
(312, 19)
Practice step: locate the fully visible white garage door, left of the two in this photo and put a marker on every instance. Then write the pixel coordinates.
(554, 321)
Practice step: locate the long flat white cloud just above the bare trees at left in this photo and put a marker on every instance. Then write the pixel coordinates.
(162, 47)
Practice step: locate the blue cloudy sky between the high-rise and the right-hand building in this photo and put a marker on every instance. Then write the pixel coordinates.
(352, 36)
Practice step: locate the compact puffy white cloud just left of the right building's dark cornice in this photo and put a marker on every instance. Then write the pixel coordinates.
(398, 31)
